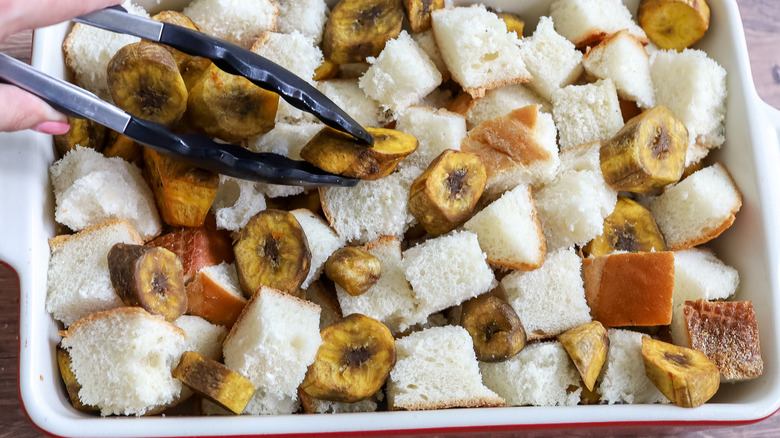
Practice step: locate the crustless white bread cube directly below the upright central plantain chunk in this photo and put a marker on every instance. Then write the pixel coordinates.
(447, 270)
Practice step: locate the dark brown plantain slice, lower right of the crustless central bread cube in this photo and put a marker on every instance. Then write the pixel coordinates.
(494, 327)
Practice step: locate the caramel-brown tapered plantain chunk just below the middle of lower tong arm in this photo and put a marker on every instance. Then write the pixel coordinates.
(183, 193)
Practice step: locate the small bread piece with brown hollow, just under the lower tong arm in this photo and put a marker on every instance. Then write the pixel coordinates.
(237, 200)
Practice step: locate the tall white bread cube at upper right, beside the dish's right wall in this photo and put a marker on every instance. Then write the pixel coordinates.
(693, 86)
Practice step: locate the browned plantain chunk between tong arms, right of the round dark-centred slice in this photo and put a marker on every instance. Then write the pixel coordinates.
(230, 107)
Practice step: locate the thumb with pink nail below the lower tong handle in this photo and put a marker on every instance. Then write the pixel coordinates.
(21, 110)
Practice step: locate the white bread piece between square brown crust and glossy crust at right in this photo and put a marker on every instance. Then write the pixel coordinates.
(698, 275)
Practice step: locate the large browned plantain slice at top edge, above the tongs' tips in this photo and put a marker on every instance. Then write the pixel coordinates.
(357, 29)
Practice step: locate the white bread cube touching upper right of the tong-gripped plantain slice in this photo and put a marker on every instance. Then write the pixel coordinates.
(435, 131)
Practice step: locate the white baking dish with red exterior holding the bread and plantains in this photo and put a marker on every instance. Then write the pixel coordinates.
(751, 153)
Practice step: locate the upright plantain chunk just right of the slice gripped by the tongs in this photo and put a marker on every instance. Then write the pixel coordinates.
(445, 194)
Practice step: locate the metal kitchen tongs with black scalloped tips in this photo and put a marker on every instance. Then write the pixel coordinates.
(198, 150)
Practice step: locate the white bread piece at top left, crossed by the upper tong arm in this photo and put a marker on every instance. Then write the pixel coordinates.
(88, 50)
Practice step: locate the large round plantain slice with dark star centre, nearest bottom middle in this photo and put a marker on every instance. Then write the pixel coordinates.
(353, 361)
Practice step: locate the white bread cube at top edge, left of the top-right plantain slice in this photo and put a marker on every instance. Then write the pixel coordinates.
(585, 22)
